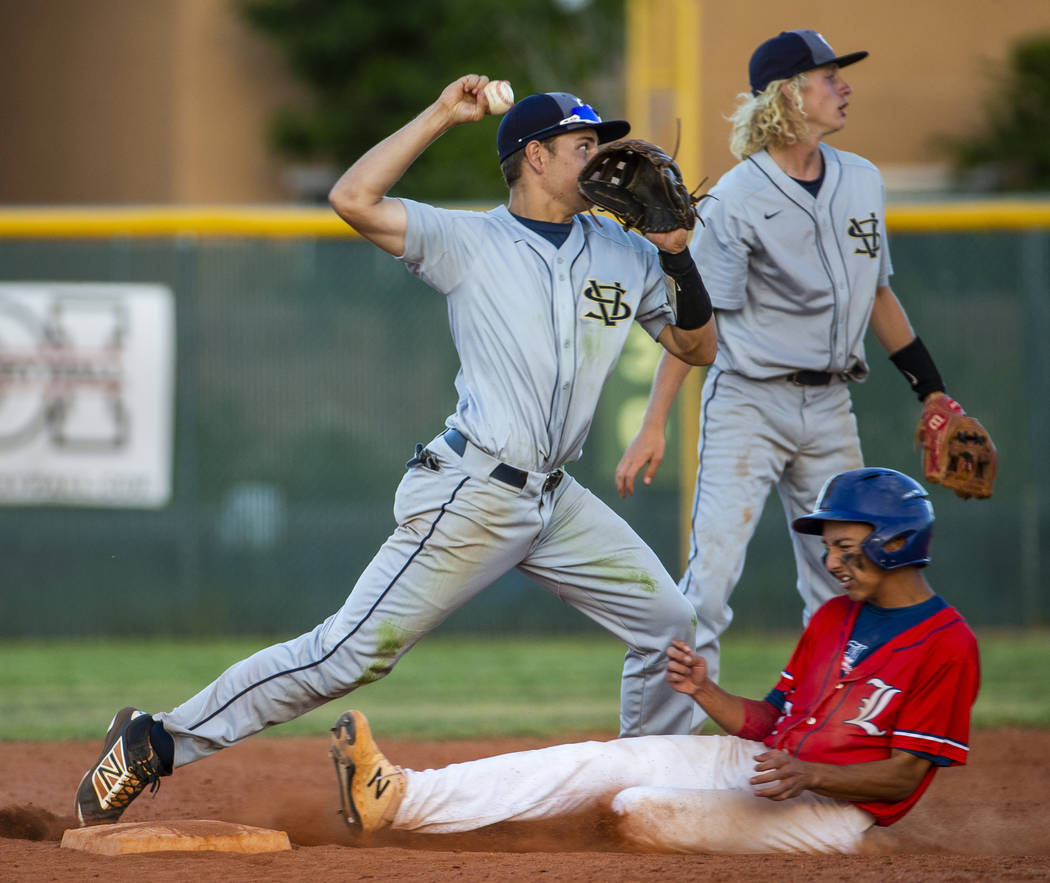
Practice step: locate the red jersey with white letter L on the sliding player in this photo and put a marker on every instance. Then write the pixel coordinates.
(914, 693)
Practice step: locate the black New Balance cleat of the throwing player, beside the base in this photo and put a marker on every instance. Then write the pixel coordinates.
(127, 767)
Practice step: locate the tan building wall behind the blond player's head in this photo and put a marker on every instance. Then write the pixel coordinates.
(929, 74)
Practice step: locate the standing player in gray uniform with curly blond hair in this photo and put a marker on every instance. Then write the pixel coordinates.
(797, 264)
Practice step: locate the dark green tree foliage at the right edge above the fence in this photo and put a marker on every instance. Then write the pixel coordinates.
(1013, 152)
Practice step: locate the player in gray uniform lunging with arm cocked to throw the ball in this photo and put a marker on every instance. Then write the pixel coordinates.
(540, 303)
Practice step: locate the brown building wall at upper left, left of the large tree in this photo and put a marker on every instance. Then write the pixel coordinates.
(137, 101)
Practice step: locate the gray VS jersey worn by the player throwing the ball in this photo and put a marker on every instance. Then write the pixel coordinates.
(533, 365)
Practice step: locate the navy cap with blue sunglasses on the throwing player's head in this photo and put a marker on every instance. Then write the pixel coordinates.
(548, 115)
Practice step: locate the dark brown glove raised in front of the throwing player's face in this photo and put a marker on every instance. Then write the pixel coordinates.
(641, 186)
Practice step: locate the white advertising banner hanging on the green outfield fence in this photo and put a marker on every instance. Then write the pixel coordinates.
(87, 394)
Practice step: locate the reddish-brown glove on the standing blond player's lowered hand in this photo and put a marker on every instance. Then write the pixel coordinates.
(957, 451)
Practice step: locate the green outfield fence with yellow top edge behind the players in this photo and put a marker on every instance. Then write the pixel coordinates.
(310, 364)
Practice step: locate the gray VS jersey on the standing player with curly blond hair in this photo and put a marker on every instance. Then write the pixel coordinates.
(795, 276)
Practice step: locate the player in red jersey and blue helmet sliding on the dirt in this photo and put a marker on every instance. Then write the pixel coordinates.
(876, 698)
